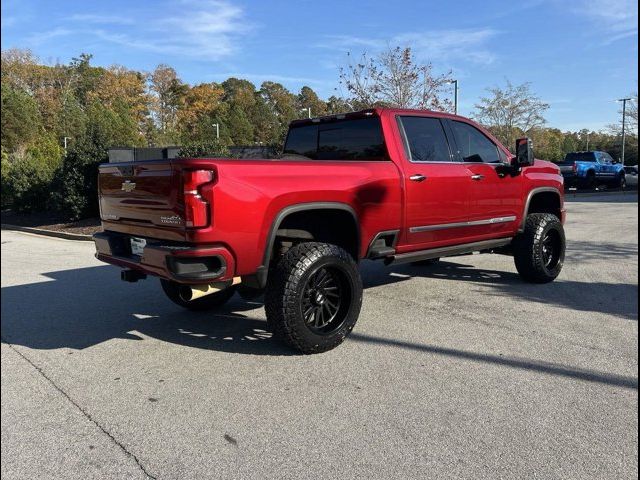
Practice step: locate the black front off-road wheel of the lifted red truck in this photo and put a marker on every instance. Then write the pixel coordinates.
(539, 250)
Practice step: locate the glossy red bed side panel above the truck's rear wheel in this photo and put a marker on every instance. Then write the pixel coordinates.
(249, 194)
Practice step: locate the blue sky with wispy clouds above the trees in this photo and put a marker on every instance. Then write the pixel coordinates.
(579, 55)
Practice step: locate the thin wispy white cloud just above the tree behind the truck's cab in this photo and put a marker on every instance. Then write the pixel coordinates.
(434, 45)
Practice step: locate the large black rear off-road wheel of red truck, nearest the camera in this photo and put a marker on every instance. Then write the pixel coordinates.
(291, 285)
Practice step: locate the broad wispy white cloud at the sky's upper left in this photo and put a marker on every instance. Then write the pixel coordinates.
(208, 30)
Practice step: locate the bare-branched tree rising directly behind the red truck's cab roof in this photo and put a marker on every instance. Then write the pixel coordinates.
(394, 78)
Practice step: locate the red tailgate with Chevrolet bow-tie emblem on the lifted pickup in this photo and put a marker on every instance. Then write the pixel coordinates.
(146, 195)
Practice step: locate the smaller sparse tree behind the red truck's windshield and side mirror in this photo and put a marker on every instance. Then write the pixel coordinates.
(511, 111)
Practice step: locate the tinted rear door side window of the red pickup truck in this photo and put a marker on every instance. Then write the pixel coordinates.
(425, 139)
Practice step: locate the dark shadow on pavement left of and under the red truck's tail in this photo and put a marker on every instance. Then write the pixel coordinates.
(85, 307)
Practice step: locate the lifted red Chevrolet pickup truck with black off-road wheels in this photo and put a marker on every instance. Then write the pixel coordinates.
(389, 184)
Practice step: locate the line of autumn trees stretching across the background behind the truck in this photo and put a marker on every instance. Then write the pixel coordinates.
(58, 120)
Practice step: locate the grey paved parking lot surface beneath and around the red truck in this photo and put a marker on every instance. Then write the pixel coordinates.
(455, 371)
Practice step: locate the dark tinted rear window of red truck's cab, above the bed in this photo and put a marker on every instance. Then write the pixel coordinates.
(349, 139)
